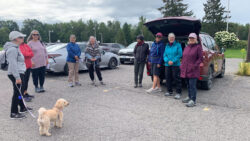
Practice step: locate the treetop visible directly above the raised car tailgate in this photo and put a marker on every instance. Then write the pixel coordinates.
(175, 8)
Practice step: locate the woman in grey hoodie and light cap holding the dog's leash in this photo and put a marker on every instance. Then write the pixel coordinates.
(16, 70)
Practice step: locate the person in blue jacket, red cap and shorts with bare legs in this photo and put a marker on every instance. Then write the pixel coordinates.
(155, 60)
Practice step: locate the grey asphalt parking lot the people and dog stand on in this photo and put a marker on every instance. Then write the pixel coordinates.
(118, 112)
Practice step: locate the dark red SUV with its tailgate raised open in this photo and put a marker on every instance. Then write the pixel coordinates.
(213, 58)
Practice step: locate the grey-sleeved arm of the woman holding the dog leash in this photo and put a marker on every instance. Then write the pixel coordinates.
(12, 54)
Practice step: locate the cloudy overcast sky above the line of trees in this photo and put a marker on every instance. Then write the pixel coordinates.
(52, 11)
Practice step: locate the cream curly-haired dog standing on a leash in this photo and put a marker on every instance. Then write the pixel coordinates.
(53, 115)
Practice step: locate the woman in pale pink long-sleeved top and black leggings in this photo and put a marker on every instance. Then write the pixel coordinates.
(39, 60)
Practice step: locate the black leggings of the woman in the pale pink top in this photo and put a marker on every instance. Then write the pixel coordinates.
(38, 74)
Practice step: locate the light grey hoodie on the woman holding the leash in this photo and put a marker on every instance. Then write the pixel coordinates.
(15, 60)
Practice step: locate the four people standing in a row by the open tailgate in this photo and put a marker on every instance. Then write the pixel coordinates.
(178, 64)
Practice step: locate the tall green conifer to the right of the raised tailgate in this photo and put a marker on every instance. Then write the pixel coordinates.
(214, 19)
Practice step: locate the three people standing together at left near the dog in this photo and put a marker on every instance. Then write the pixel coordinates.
(22, 60)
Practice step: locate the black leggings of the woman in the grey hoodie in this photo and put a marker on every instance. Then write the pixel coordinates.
(15, 100)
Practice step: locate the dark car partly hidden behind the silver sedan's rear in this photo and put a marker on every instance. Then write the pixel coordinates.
(112, 47)
